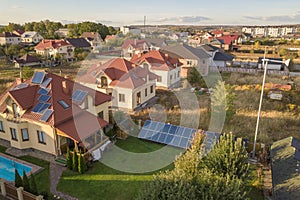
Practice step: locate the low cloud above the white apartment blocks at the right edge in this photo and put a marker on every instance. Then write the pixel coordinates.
(276, 18)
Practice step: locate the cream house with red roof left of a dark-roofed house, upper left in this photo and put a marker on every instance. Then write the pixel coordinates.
(55, 48)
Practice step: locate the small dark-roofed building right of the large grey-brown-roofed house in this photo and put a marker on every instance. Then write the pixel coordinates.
(218, 57)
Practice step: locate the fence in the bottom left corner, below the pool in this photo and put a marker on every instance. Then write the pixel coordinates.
(11, 192)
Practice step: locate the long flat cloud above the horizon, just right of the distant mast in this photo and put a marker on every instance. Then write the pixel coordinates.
(183, 19)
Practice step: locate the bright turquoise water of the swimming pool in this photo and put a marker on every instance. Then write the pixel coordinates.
(7, 168)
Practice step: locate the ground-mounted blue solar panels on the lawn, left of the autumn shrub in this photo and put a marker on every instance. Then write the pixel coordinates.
(167, 134)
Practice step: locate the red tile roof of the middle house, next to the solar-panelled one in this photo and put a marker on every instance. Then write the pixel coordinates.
(122, 72)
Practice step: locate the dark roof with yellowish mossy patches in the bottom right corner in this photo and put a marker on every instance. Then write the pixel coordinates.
(285, 158)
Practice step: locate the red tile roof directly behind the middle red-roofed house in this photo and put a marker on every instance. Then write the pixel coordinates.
(157, 60)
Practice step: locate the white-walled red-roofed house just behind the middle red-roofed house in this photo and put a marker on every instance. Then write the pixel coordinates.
(167, 68)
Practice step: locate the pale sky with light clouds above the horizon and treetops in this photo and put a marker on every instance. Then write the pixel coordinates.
(157, 12)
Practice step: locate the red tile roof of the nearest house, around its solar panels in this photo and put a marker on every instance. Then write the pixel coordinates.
(27, 99)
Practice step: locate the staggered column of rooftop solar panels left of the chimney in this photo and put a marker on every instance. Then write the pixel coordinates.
(42, 107)
